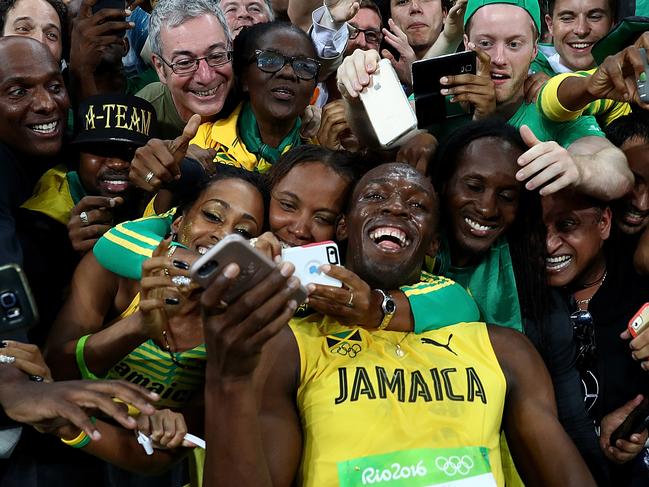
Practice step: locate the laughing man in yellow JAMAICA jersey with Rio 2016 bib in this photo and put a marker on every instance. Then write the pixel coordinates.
(317, 403)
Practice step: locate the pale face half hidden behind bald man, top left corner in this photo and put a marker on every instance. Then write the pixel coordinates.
(36, 19)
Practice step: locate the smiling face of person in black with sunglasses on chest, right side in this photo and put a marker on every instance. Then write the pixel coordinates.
(576, 232)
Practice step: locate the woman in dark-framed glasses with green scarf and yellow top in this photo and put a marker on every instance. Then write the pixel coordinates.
(276, 73)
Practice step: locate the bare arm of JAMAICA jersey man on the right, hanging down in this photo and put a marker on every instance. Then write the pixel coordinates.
(534, 434)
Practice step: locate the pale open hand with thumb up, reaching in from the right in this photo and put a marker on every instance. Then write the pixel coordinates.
(546, 165)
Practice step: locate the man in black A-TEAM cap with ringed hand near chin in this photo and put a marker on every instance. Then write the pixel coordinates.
(70, 210)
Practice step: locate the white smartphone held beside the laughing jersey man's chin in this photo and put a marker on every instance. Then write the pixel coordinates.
(307, 260)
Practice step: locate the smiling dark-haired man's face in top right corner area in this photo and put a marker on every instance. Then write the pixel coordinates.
(576, 25)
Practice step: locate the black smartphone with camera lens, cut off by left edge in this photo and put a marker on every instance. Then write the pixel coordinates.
(17, 305)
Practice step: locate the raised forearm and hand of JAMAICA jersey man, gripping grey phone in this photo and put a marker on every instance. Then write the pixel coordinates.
(248, 444)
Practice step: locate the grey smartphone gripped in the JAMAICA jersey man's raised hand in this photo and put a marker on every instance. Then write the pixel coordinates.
(253, 265)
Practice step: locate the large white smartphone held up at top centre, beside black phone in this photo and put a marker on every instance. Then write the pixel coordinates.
(388, 109)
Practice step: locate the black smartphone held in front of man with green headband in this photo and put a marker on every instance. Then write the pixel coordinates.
(430, 104)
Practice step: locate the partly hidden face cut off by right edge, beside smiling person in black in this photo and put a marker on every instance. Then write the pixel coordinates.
(632, 211)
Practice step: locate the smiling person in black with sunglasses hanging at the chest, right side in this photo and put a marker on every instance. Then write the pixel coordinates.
(604, 292)
